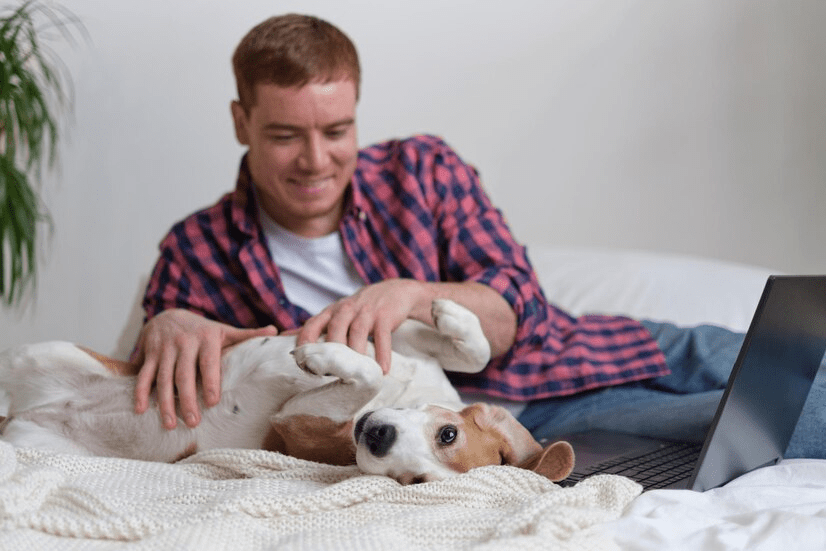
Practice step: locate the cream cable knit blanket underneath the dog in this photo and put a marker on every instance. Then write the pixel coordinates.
(249, 499)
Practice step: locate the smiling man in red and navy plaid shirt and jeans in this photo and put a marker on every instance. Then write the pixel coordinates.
(320, 237)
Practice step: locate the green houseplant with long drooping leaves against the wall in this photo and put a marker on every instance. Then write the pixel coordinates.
(34, 92)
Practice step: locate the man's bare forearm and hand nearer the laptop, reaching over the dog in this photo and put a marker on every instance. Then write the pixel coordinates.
(378, 309)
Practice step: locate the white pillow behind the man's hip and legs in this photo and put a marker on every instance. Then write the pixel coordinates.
(682, 289)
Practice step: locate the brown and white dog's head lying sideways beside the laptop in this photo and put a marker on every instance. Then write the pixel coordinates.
(432, 443)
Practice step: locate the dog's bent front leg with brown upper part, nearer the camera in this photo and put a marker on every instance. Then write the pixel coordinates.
(318, 424)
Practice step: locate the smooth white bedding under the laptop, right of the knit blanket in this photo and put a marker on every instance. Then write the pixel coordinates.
(781, 508)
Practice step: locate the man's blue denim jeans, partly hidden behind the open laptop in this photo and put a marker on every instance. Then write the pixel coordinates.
(680, 405)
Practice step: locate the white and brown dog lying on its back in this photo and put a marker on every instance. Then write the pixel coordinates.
(321, 401)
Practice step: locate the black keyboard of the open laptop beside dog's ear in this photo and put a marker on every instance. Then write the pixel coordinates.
(658, 469)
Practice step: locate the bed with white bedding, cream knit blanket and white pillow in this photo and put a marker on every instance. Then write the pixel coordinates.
(250, 499)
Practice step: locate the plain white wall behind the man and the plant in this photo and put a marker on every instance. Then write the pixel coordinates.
(690, 126)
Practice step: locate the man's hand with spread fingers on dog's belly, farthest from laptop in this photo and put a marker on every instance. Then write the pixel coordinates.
(173, 347)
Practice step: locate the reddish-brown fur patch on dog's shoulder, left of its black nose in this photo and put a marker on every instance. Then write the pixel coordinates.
(313, 438)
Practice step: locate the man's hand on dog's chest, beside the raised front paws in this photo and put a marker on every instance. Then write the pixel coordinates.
(374, 311)
